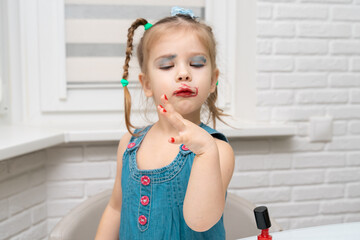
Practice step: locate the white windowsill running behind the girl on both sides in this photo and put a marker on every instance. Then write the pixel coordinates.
(16, 140)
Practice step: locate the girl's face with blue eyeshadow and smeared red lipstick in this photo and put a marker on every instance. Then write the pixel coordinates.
(180, 67)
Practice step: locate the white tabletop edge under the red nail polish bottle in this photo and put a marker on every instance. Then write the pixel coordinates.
(341, 231)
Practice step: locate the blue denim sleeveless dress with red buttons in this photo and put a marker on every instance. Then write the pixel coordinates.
(152, 200)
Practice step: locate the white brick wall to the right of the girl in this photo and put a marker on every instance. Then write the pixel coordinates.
(308, 65)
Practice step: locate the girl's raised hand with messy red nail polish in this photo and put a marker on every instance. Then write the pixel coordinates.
(191, 135)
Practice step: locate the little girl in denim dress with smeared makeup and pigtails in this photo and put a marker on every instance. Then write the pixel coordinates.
(172, 176)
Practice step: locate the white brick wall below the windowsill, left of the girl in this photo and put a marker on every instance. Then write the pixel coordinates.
(37, 189)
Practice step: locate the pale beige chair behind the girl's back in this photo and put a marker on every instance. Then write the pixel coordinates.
(81, 222)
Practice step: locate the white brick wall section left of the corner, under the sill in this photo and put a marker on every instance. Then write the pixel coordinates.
(23, 208)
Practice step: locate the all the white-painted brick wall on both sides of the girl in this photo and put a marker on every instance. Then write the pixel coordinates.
(308, 65)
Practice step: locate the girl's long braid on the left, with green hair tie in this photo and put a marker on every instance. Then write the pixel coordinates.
(127, 97)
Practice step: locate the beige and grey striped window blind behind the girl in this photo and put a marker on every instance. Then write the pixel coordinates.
(96, 35)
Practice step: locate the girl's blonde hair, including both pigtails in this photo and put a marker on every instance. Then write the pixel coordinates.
(206, 37)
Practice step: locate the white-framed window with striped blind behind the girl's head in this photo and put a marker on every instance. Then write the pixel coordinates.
(71, 59)
